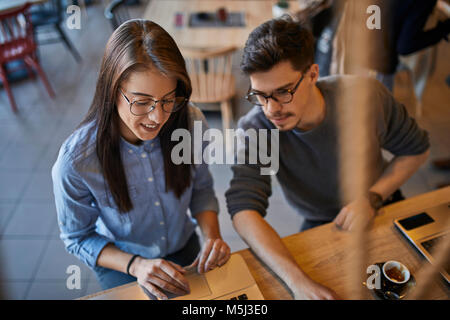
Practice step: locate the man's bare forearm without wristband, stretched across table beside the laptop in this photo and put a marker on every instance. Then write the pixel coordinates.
(268, 246)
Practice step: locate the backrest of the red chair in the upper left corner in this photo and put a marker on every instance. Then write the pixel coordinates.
(16, 34)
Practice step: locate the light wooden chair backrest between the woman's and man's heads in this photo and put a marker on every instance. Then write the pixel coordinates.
(210, 73)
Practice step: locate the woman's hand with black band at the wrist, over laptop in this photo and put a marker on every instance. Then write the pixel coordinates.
(157, 274)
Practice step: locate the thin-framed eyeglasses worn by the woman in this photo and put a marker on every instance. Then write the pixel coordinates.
(147, 105)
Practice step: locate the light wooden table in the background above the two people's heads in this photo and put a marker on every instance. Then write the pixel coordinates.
(256, 12)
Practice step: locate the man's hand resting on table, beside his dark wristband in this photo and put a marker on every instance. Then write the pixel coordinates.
(348, 217)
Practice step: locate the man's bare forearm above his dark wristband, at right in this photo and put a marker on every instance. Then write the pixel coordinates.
(397, 173)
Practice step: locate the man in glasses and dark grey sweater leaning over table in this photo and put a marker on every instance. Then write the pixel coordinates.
(288, 96)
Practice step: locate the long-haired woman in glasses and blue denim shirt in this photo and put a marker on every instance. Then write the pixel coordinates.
(121, 202)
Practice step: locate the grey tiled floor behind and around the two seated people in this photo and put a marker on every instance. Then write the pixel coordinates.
(33, 260)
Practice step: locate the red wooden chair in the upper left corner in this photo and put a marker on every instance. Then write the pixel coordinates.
(17, 42)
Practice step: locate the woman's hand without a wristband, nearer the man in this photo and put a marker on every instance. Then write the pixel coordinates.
(215, 253)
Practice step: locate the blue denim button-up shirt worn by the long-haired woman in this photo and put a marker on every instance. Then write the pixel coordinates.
(158, 224)
